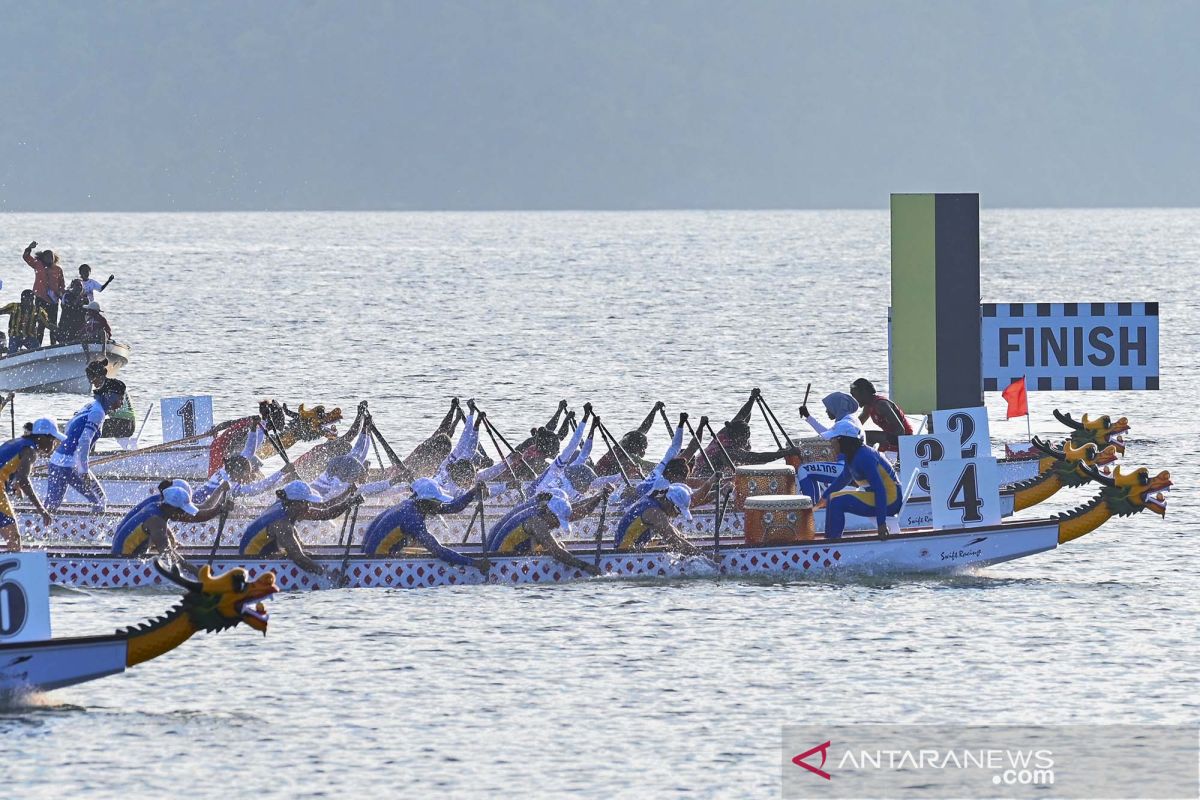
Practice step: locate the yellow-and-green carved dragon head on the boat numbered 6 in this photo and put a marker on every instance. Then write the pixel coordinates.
(224, 601)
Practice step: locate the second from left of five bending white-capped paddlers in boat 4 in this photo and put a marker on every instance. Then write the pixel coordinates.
(275, 531)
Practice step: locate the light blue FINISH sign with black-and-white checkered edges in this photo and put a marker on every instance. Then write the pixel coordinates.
(1071, 346)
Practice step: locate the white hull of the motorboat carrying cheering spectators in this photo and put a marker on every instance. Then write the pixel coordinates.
(59, 369)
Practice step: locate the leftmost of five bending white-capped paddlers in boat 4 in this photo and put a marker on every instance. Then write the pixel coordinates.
(146, 528)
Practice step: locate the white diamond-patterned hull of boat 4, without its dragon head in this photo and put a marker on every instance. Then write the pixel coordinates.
(917, 554)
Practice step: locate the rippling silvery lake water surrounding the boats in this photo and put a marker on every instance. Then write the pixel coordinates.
(602, 689)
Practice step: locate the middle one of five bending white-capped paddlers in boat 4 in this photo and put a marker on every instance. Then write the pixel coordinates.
(405, 524)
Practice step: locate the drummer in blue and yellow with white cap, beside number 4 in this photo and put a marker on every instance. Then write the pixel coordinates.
(880, 495)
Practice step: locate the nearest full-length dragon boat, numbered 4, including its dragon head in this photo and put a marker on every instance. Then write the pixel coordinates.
(916, 552)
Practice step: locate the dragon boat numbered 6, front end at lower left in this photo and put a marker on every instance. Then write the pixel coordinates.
(211, 604)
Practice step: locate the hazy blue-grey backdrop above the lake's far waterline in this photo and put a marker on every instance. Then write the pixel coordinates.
(445, 105)
